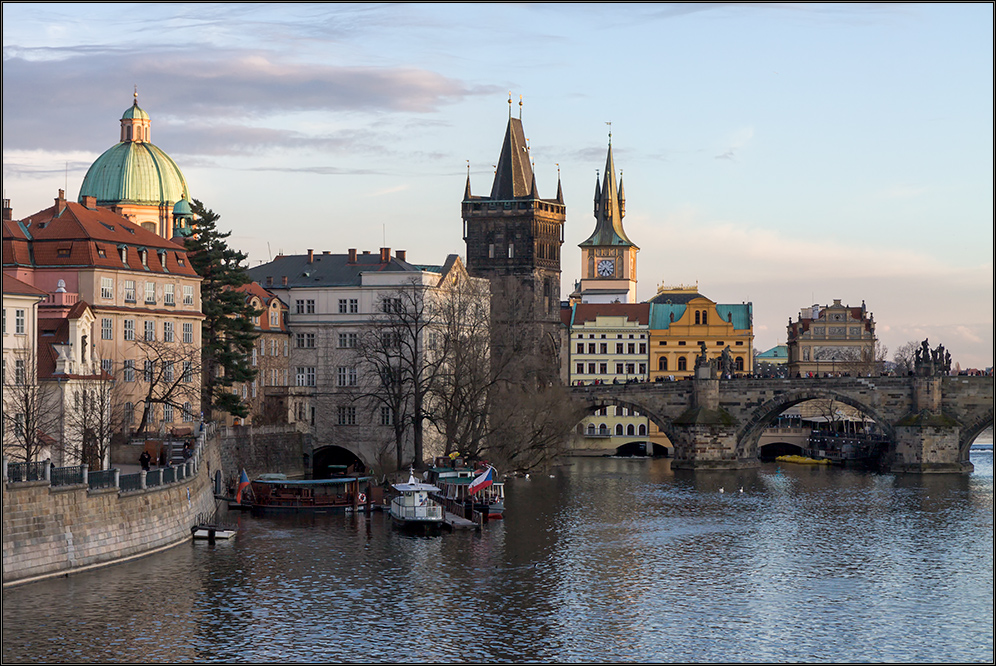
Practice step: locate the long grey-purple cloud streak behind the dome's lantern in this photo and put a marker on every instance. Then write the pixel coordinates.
(42, 90)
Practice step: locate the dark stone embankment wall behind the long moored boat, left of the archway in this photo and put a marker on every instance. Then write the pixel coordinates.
(265, 449)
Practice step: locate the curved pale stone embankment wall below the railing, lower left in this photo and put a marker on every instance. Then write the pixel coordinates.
(59, 530)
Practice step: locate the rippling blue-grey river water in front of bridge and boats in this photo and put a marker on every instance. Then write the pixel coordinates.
(618, 560)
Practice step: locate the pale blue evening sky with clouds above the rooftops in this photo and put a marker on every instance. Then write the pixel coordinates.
(781, 154)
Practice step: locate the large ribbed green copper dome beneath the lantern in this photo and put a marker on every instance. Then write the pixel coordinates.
(135, 173)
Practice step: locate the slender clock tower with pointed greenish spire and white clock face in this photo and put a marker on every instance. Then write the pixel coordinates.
(608, 257)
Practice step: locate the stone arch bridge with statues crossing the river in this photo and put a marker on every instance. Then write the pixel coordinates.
(716, 424)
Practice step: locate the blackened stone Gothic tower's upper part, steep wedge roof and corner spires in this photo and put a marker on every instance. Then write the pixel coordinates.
(513, 233)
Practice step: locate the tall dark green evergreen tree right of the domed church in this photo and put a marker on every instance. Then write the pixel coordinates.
(227, 332)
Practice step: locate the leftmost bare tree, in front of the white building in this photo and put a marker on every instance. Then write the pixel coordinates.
(30, 412)
